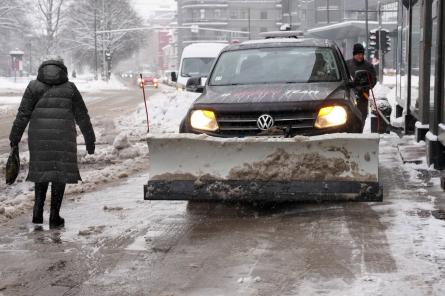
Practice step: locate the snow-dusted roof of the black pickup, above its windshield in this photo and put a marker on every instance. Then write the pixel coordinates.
(281, 42)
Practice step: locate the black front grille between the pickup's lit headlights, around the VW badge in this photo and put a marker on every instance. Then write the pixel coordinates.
(245, 124)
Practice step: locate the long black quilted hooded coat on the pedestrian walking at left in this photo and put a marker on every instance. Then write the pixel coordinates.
(52, 105)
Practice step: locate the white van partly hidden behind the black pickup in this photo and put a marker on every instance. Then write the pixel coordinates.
(196, 61)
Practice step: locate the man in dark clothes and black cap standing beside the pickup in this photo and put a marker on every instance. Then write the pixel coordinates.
(358, 62)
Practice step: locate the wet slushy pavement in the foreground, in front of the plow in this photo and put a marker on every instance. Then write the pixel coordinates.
(114, 243)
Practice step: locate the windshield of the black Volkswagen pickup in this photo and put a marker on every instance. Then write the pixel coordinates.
(276, 65)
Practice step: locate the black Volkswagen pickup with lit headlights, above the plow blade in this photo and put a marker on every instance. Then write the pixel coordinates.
(276, 86)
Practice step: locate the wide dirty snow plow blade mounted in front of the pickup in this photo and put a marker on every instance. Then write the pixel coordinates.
(319, 168)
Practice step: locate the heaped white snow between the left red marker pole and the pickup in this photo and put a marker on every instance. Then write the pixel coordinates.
(167, 109)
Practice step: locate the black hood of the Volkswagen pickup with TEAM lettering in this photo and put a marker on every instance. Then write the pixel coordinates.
(269, 93)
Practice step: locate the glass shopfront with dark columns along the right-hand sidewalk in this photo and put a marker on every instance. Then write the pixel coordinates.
(421, 74)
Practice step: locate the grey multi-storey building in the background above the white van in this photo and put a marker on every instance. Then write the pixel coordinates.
(225, 20)
